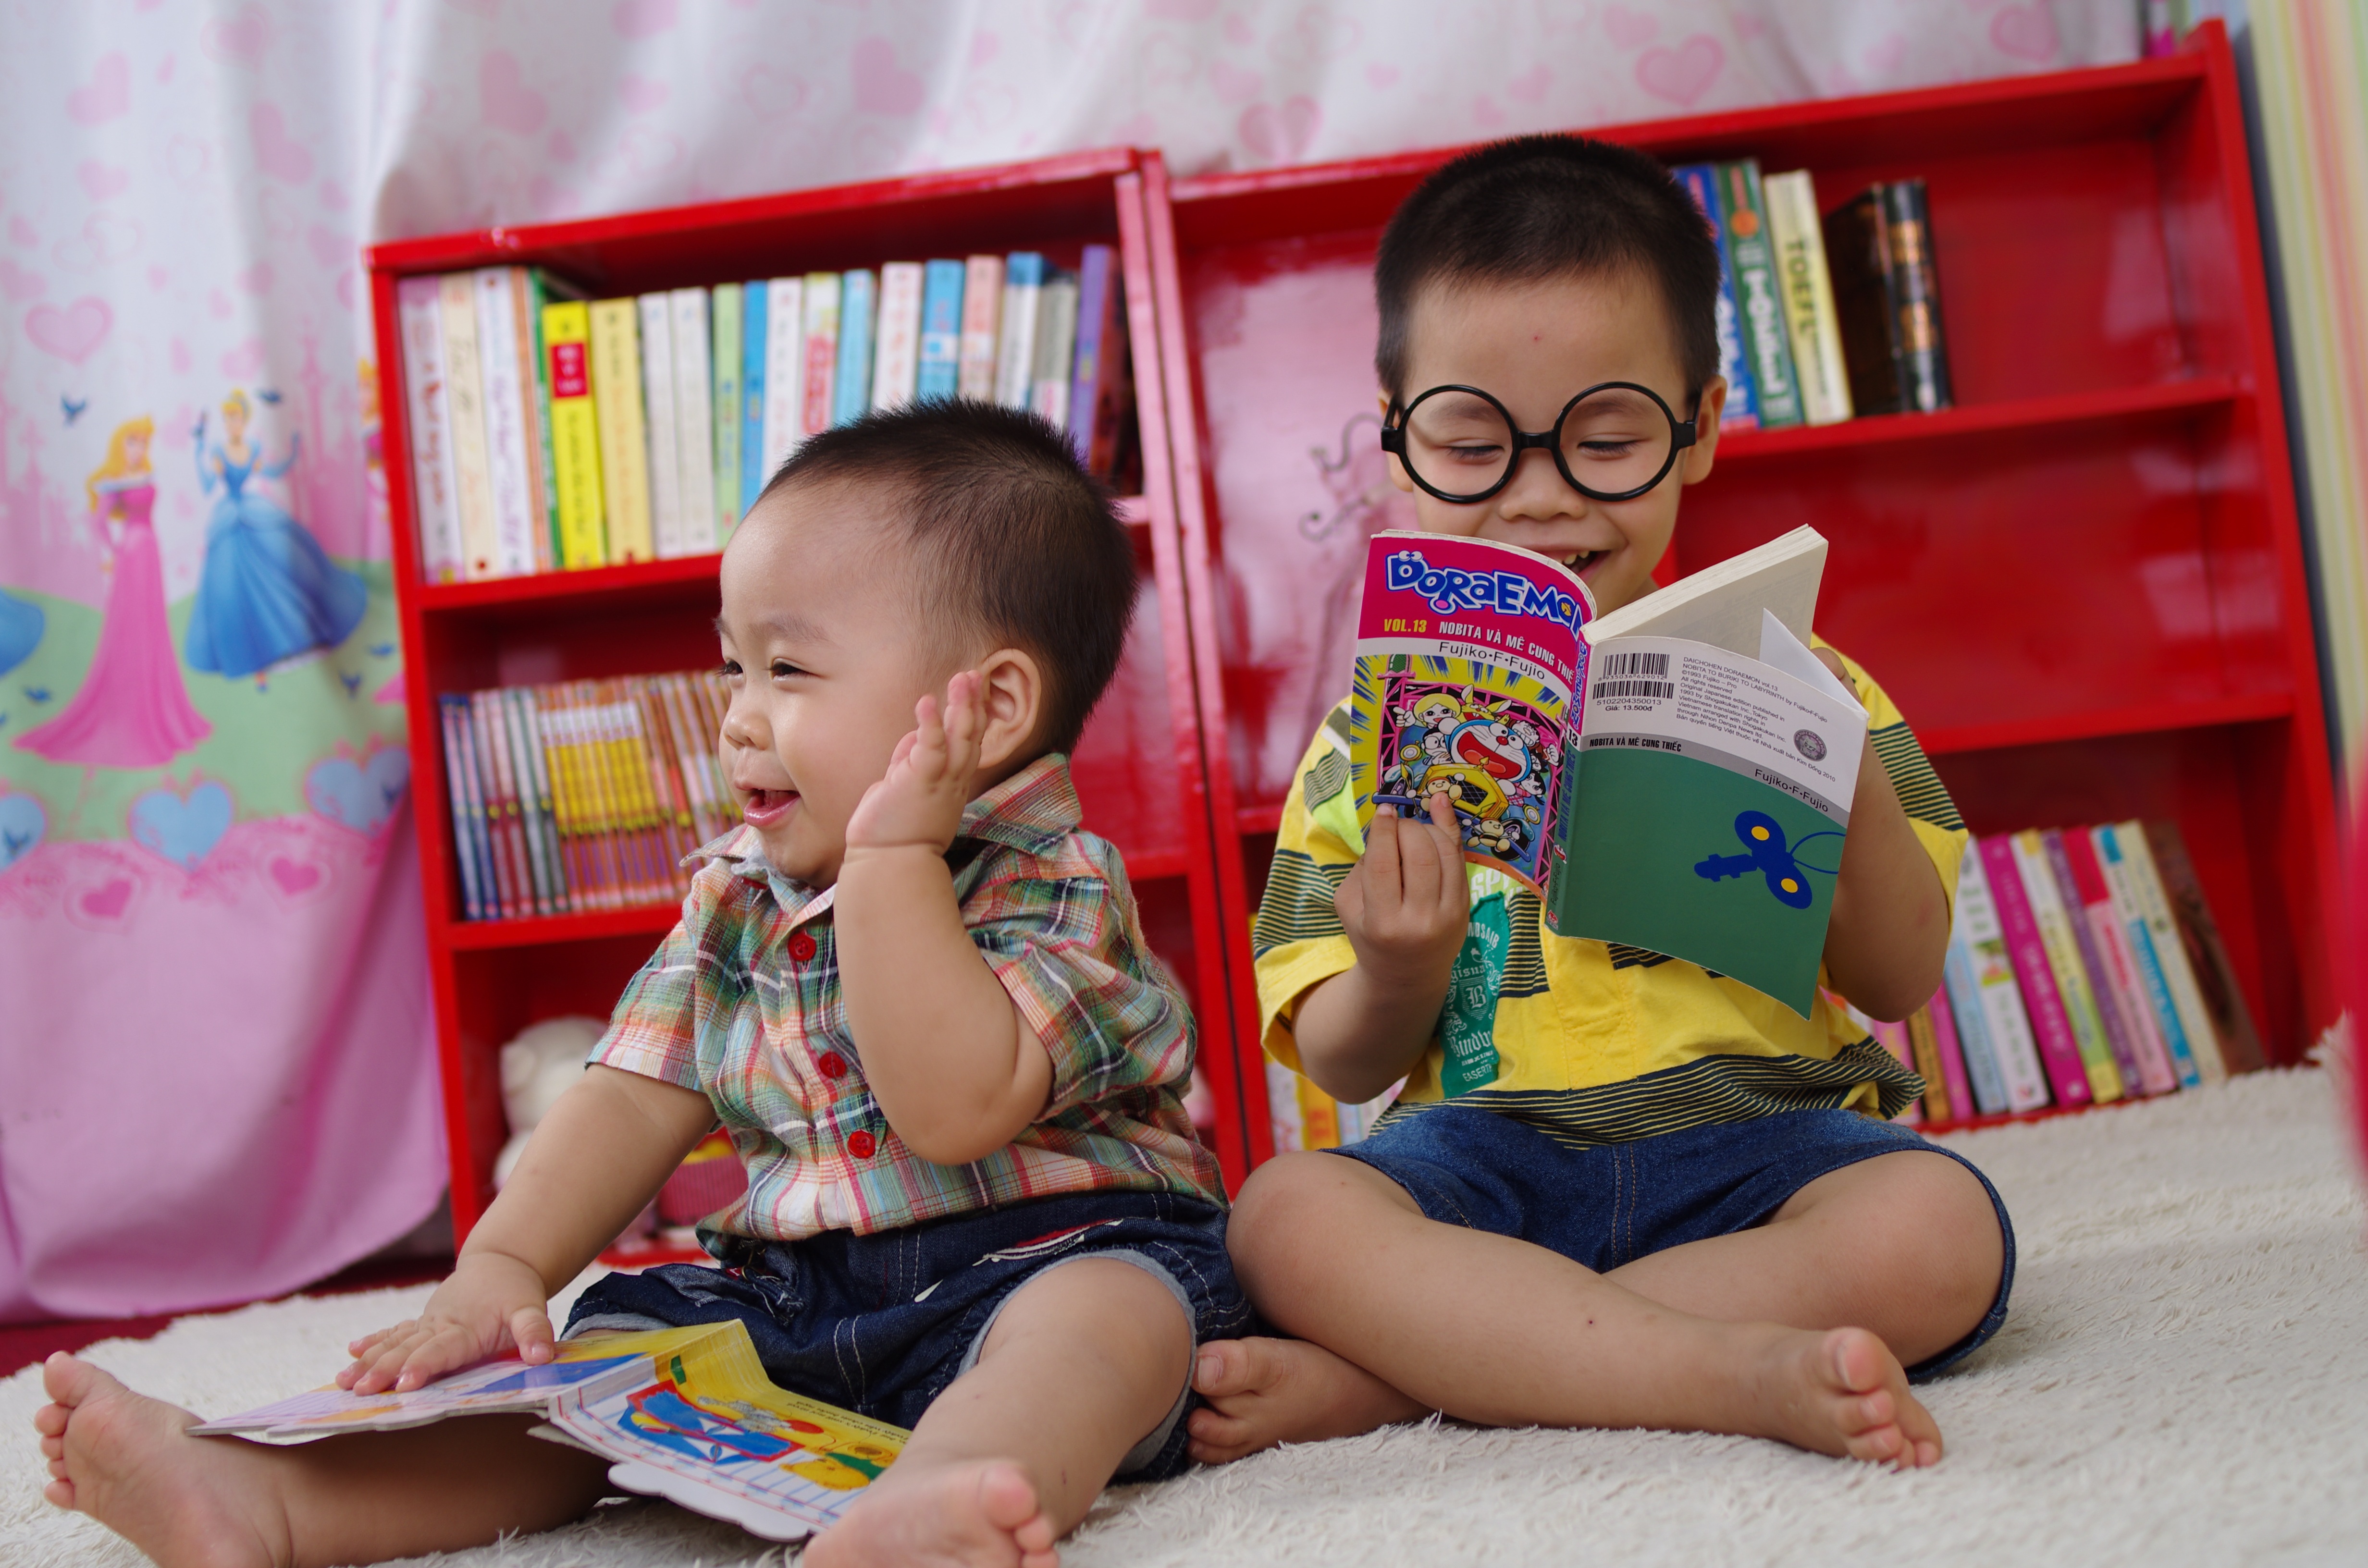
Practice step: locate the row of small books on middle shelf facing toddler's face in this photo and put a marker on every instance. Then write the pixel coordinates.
(584, 795)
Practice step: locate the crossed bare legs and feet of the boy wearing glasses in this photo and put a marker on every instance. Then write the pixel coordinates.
(1789, 1330)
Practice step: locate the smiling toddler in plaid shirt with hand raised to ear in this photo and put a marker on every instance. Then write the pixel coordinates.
(920, 1001)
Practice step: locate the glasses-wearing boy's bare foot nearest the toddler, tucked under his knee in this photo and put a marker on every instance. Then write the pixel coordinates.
(1266, 1392)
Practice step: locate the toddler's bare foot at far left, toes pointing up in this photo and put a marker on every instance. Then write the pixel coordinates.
(124, 1460)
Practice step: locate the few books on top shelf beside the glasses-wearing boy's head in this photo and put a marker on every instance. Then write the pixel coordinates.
(1822, 319)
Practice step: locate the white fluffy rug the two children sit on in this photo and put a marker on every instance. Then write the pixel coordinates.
(2184, 1380)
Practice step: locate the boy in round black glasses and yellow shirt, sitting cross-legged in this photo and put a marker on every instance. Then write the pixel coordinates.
(1678, 1204)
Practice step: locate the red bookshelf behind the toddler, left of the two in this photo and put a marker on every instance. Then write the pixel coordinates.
(1138, 769)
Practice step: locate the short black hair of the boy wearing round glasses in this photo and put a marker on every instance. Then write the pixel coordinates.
(1545, 207)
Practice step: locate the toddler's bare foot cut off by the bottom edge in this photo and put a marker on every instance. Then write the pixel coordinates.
(979, 1515)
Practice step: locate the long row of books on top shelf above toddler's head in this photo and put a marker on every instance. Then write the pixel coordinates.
(555, 432)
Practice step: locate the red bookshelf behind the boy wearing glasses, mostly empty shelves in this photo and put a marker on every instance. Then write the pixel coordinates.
(2085, 584)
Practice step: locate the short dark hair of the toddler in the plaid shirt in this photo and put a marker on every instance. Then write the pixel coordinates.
(1012, 536)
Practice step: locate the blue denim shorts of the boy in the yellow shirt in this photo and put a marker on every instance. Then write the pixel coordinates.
(1621, 1202)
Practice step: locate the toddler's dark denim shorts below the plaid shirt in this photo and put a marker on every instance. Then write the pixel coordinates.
(882, 1325)
